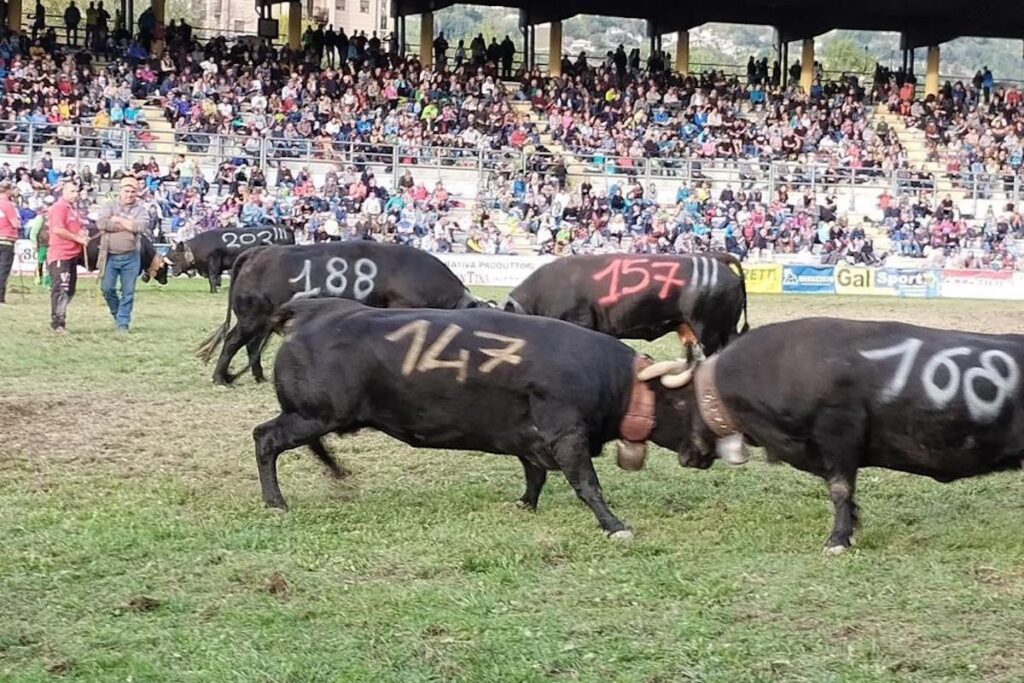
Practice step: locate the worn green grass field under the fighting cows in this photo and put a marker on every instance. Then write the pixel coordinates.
(136, 545)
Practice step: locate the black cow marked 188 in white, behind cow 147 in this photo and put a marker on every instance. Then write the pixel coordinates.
(377, 275)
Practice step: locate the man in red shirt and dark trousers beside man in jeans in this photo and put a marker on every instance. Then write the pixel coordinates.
(68, 237)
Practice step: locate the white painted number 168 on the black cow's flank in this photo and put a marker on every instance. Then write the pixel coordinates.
(995, 368)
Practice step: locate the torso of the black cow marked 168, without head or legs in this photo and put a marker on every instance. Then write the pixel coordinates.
(945, 404)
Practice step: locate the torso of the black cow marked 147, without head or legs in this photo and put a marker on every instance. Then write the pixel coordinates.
(472, 363)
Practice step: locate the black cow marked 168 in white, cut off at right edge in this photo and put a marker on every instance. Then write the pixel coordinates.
(831, 397)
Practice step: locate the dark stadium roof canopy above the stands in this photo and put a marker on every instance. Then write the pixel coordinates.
(922, 22)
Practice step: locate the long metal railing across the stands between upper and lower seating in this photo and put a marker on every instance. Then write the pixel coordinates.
(124, 146)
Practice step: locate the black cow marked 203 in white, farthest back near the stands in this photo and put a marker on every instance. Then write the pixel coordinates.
(214, 252)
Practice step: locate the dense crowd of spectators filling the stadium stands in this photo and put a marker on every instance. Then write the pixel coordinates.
(353, 101)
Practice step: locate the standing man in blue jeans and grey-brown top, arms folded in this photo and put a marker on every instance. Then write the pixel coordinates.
(122, 224)
